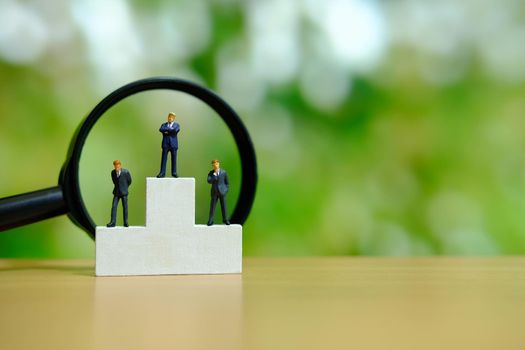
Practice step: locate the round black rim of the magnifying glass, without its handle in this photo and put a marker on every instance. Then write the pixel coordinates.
(69, 177)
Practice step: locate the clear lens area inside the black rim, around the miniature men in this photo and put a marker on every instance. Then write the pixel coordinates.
(129, 132)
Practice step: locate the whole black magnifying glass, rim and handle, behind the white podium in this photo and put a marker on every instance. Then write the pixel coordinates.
(66, 198)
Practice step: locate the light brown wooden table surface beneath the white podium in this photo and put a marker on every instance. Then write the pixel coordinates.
(303, 303)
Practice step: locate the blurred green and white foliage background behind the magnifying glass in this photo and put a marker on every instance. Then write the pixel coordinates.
(381, 127)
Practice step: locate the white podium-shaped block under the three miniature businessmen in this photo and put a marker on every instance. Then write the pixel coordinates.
(170, 243)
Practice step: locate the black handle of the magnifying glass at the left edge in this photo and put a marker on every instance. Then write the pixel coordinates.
(31, 207)
